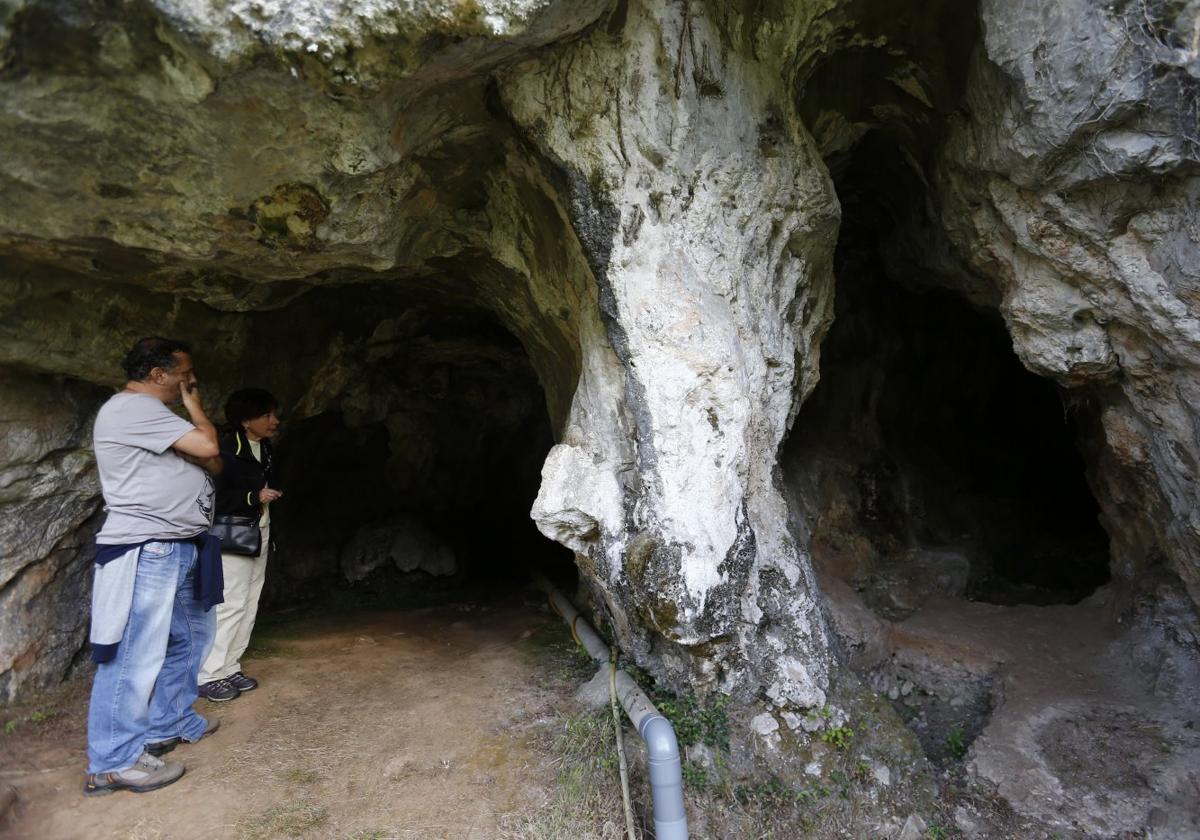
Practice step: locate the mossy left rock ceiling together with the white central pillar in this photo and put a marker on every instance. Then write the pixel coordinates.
(638, 205)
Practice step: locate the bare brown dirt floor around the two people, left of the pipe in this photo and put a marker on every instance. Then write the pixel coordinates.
(370, 725)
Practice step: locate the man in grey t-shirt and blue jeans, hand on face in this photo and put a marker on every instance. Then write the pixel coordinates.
(151, 632)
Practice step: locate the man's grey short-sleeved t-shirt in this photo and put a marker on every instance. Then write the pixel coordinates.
(151, 493)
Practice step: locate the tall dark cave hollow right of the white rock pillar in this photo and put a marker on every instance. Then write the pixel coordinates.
(928, 461)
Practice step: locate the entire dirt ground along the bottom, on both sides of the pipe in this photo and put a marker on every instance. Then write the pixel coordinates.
(459, 721)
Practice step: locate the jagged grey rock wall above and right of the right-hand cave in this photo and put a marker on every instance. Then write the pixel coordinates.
(1049, 175)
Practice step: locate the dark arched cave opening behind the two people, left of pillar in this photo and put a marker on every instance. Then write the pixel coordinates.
(415, 457)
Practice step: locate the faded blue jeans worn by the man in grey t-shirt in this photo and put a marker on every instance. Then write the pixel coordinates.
(146, 693)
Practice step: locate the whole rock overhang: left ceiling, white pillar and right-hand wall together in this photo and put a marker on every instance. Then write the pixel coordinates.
(638, 194)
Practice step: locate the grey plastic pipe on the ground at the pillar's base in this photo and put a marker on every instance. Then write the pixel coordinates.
(667, 770)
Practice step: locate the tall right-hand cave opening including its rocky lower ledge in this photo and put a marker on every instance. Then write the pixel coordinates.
(937, 482)
